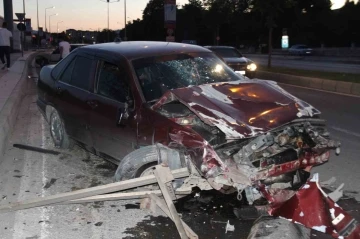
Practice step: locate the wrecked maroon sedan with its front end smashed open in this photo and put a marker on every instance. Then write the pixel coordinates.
(139, 104)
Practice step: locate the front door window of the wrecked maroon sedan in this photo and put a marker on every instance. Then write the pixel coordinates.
(113, 83)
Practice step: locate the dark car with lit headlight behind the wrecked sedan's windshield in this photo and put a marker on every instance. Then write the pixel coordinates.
(235, 60)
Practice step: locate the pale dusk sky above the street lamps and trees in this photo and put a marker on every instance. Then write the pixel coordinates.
(88, 14)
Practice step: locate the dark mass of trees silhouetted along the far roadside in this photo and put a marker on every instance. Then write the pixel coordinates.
(249, 23)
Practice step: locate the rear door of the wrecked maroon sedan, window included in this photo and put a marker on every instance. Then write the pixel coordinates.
(72, 93)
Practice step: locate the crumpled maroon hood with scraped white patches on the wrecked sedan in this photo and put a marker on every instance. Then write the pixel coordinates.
(243, 108)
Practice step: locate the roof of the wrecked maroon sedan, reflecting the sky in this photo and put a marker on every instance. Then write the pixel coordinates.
(140, 49)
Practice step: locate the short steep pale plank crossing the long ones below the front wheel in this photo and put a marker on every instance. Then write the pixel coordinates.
(163, 176)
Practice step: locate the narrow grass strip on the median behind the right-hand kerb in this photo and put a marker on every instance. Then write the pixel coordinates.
(349, 77)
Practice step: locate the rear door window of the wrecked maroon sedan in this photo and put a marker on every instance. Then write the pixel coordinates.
(81, 72)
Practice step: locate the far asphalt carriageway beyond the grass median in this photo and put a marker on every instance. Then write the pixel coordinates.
(305, 64)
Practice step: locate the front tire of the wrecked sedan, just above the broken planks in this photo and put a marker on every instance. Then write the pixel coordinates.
(136, 163)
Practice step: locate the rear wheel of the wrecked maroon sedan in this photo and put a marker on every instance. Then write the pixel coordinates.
(58, 132)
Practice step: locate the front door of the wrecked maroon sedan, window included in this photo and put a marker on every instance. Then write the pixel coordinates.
(113, 125)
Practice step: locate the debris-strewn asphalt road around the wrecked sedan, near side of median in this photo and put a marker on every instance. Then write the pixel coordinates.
(26, 175)
